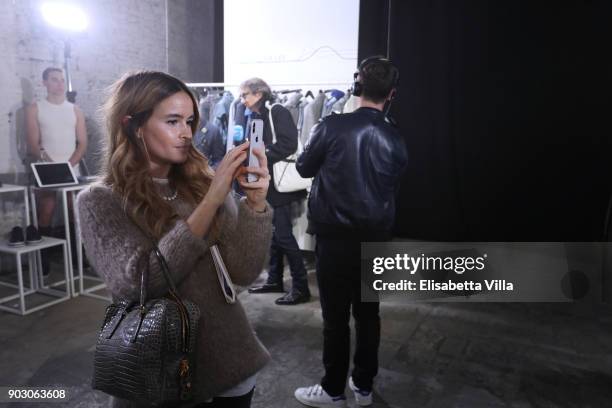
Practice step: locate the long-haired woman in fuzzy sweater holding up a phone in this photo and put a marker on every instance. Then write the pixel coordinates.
(157, 186)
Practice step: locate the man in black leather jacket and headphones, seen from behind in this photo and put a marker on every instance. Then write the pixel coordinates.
(356, 160)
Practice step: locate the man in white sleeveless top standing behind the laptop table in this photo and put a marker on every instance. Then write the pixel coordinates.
(55, 132)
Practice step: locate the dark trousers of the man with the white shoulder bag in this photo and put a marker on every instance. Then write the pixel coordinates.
(284, 243)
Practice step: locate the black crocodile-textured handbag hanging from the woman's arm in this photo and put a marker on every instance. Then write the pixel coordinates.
(146, 350)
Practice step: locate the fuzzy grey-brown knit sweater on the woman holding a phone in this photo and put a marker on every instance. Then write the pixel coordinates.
(228, 349)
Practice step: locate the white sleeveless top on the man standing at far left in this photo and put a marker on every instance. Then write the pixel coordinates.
(57, 125)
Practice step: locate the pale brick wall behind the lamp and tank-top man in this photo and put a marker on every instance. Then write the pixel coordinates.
(174, 36)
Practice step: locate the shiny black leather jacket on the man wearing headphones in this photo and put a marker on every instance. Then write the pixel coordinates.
(357, 160)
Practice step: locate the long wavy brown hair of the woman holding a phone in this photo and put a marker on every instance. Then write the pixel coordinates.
(126, 167)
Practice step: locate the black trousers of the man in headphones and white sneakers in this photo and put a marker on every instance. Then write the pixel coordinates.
(338, 275)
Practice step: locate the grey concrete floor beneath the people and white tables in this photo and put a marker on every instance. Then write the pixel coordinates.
(432, 355)
